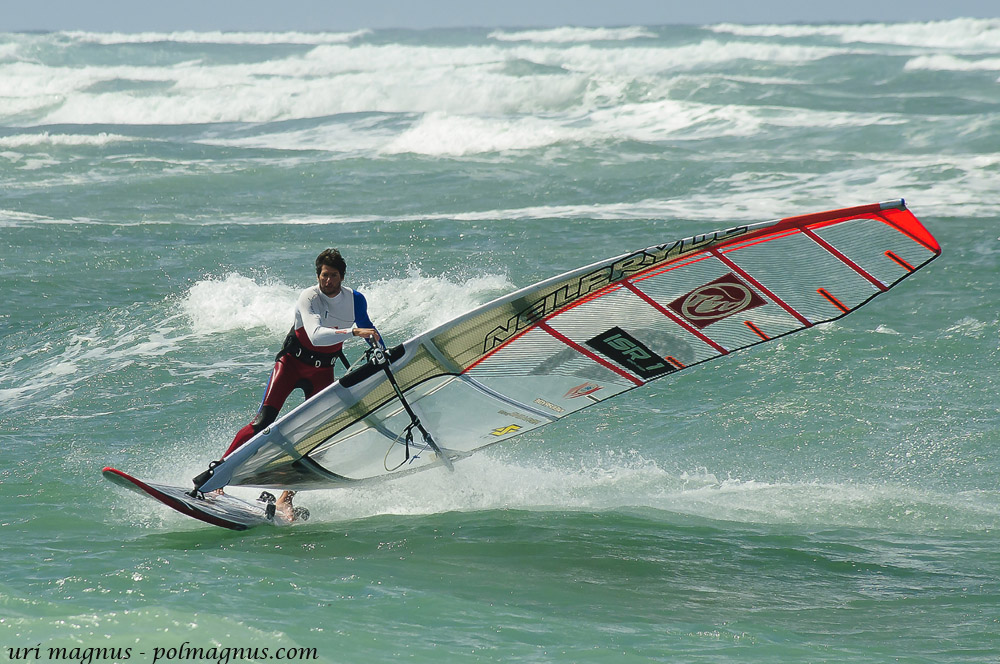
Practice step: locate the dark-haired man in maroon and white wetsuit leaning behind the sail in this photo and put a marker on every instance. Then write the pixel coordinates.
(325, 315)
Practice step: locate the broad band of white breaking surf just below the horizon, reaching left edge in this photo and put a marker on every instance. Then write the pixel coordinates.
(343, 78)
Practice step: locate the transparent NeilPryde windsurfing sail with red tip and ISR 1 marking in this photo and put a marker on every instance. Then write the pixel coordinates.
(546, 351)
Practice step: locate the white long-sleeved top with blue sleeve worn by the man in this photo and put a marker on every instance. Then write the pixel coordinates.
(322, 323)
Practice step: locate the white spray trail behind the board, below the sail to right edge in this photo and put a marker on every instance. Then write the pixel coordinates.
(615, 479)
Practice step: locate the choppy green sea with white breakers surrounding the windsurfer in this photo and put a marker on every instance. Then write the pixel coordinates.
(830, 497)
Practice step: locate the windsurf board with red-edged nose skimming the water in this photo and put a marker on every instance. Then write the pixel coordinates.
(220, 510)
